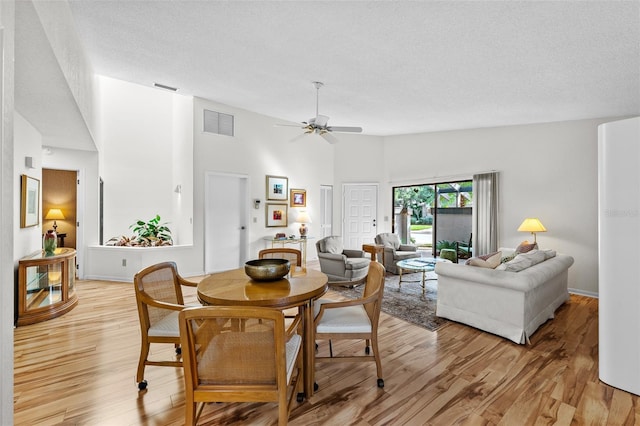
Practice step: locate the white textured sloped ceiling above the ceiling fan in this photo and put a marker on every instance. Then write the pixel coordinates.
(392, 67)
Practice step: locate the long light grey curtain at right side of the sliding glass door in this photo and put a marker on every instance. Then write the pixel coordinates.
(485, 213)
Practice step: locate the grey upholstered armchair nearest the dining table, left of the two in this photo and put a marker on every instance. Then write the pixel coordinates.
(341, 264)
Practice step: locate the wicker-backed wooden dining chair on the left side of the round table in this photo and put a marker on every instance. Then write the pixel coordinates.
(159, 298)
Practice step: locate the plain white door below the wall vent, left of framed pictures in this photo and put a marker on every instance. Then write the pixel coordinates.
(225, 223)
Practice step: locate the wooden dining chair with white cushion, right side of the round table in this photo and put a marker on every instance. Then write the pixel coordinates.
(353, 319)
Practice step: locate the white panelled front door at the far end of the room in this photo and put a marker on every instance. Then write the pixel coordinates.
(359, 214)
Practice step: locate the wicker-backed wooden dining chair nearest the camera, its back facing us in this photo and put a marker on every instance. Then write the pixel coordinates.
(258, 361)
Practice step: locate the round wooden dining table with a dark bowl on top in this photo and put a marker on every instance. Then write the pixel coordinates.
(298, 289)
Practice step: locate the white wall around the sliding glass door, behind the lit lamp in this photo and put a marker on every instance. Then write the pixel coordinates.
(546, 170)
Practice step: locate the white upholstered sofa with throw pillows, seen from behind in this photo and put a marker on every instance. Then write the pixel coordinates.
(510, 304)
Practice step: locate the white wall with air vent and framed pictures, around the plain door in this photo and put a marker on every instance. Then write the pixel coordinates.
(258, 149)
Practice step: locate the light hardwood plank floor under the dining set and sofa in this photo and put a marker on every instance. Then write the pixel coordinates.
(79, 369)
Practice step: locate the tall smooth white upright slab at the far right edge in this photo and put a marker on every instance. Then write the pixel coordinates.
(619, 253)
